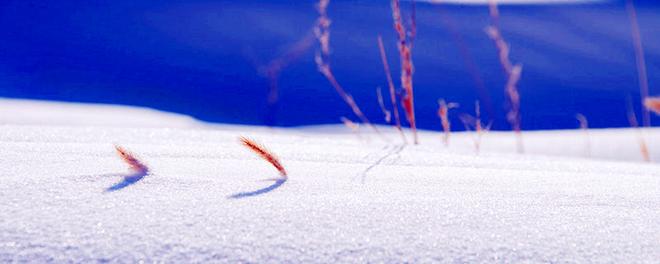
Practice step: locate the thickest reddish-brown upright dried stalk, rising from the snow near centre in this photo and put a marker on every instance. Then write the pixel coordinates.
(405, 45)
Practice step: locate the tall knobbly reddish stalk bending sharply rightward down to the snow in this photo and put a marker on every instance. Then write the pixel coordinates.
(322, 59)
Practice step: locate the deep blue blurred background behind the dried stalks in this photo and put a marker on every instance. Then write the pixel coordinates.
(202, 58)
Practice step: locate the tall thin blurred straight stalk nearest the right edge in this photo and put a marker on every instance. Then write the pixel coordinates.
(639, 59)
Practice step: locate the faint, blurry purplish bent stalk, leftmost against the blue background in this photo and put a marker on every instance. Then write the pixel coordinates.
(274, 68)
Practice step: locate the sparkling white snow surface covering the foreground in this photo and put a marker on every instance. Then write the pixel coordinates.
(347, 198)
